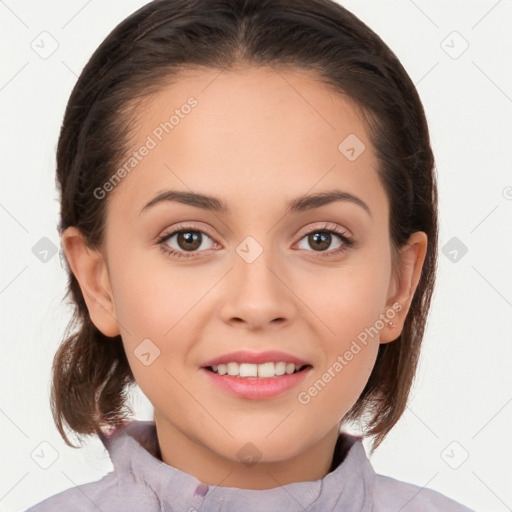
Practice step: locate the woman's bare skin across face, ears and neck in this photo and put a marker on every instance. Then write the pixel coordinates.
(257, 139)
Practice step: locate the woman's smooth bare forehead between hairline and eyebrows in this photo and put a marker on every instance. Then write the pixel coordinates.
(252, 133)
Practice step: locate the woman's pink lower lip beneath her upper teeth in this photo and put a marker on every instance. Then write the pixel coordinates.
(256, 388)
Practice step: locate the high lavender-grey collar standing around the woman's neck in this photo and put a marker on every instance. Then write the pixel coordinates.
(135, 455)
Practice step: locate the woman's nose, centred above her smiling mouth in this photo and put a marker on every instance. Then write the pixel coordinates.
(256, 295)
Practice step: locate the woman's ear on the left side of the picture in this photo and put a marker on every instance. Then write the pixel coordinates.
(91, 272)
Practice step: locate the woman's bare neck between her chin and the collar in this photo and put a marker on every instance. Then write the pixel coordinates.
(210, 467)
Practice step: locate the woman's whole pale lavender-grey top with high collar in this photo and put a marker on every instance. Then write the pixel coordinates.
(141, 482)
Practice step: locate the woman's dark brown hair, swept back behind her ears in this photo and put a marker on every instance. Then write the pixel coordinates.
(91, 374)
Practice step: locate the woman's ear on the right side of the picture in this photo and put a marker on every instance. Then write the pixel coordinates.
(406, 276)
